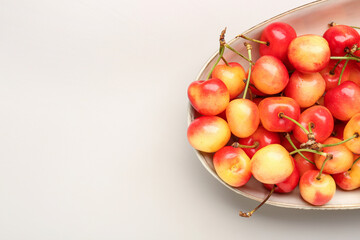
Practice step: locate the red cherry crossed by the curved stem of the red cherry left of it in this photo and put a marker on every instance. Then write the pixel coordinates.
(322, 122)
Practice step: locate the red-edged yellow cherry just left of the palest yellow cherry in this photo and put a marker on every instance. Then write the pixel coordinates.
(232, 165)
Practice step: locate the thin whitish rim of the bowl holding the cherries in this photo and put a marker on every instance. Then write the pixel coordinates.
(202, 158)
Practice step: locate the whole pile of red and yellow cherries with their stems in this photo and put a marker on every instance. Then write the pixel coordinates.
(293, 119)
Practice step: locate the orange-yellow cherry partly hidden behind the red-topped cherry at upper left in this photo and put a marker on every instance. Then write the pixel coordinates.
(233, 76)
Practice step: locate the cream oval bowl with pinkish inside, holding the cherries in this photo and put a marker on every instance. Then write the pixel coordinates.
(310, 18)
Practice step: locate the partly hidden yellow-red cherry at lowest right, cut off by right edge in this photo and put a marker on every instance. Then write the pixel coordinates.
(350, 179)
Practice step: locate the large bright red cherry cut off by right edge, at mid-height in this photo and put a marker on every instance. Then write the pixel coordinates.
(343, 101)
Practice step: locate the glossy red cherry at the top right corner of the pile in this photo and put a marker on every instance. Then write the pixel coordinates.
(341, 37)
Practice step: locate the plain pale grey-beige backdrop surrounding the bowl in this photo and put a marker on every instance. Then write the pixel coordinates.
(93, 118)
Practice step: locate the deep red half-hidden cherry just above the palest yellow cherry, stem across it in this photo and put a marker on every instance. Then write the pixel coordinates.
(263, 137)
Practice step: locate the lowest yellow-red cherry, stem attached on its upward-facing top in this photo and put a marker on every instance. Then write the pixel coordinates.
(317, 190)
